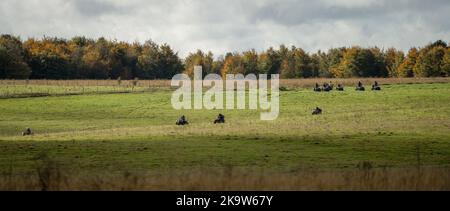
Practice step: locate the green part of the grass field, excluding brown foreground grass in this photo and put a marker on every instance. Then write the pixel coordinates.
(136, 132)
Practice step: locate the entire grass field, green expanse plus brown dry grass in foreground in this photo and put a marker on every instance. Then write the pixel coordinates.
(404, 128)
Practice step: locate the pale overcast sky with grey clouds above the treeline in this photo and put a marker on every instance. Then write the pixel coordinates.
(234, 25)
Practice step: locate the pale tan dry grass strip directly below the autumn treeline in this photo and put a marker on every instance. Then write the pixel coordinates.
(38, 88)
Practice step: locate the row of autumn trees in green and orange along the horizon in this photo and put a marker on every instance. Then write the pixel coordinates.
(83, 58)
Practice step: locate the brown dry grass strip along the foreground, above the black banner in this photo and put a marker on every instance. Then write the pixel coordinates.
(50, 178)
